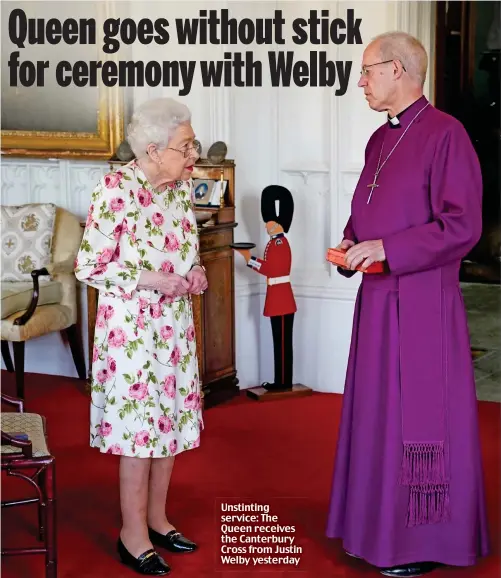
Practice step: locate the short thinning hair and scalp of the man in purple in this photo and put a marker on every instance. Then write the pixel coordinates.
(408, 50)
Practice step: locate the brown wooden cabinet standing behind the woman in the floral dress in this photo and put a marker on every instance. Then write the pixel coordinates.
(214, 311)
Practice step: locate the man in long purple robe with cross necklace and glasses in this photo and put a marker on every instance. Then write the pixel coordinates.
(407, 493)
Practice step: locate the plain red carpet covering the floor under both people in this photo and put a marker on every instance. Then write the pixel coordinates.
(278, 454)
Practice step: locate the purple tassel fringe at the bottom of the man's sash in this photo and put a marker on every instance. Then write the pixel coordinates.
(423, 469)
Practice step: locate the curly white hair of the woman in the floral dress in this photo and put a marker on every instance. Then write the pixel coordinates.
(154, 122)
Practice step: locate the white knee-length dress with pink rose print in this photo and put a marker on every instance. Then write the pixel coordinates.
(145, 383)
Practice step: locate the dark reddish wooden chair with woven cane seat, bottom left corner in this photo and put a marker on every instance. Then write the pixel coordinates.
(25, 455)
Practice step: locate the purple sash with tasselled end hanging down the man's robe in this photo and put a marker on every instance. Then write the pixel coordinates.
(423, 377)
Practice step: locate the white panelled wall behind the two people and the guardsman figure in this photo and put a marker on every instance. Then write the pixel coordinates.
(306, 139)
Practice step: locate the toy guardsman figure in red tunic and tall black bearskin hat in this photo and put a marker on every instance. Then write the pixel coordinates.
(280, 304)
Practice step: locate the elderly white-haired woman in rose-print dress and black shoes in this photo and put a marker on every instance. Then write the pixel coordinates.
(140, 249)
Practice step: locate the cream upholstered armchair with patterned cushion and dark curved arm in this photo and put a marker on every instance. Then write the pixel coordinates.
(47, 302)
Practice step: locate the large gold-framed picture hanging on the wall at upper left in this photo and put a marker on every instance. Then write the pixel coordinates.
(52, 120)
